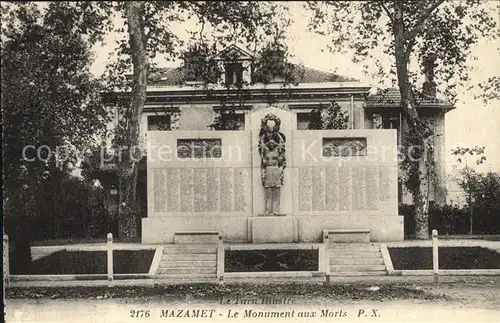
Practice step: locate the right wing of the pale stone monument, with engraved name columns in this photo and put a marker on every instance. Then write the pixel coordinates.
(338, 191)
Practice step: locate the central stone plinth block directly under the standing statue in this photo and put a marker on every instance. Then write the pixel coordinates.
(274, 229)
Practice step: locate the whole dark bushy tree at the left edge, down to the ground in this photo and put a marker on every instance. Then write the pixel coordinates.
(51, 111)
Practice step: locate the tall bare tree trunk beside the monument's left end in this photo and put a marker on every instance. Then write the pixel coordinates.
(128, 164)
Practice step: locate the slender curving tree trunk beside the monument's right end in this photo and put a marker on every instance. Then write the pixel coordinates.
(420, 190)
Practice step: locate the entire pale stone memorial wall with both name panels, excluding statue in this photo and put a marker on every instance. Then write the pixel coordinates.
(324, 187)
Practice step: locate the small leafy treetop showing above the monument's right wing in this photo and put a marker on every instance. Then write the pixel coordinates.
(330, 116)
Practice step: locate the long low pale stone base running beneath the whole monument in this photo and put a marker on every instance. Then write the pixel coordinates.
(240, 229)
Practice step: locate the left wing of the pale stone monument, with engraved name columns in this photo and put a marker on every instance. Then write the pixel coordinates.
(206, 190)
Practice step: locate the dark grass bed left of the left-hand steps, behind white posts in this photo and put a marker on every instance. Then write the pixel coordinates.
(92, 262)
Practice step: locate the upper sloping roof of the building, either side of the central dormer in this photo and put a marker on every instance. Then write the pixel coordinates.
(175, 76)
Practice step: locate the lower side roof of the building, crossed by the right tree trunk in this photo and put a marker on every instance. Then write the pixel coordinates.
(391, 97)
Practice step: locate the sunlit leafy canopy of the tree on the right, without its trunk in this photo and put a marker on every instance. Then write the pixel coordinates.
(447, 29)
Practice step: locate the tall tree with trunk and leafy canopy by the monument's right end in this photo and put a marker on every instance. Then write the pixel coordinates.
(430, 31)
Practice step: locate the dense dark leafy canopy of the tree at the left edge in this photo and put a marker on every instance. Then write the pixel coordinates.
(49, 96)
